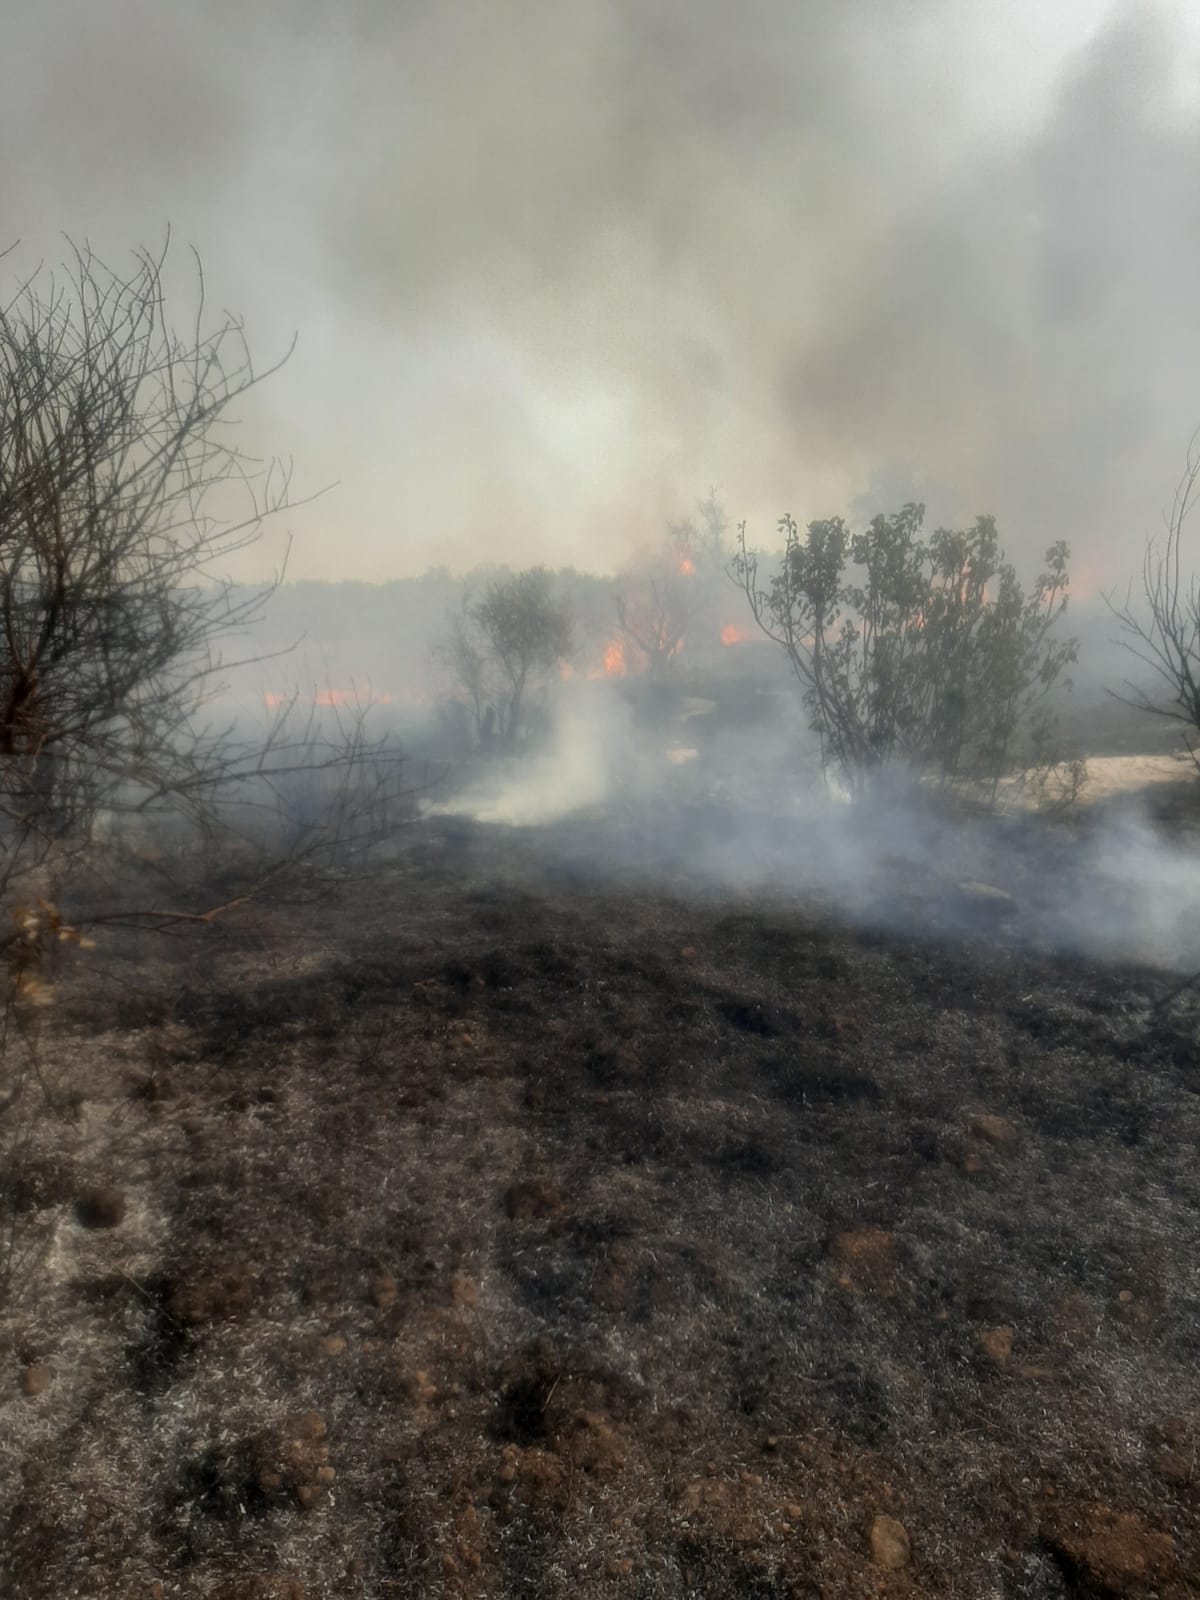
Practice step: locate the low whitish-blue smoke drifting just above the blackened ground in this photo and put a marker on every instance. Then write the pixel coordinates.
(750, 815)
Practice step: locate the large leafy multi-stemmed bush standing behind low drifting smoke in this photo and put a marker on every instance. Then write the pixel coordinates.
(910, 652)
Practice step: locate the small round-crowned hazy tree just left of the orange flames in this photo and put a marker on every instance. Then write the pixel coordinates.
(505, 649)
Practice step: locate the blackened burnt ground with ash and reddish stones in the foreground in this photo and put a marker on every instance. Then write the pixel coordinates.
(502, 1228)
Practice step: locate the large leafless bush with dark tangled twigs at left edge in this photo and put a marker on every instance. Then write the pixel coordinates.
(122, 497)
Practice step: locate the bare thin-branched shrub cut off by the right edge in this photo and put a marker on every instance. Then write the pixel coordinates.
(1164, 630)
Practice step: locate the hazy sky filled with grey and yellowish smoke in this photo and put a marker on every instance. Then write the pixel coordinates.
(559, 266)
